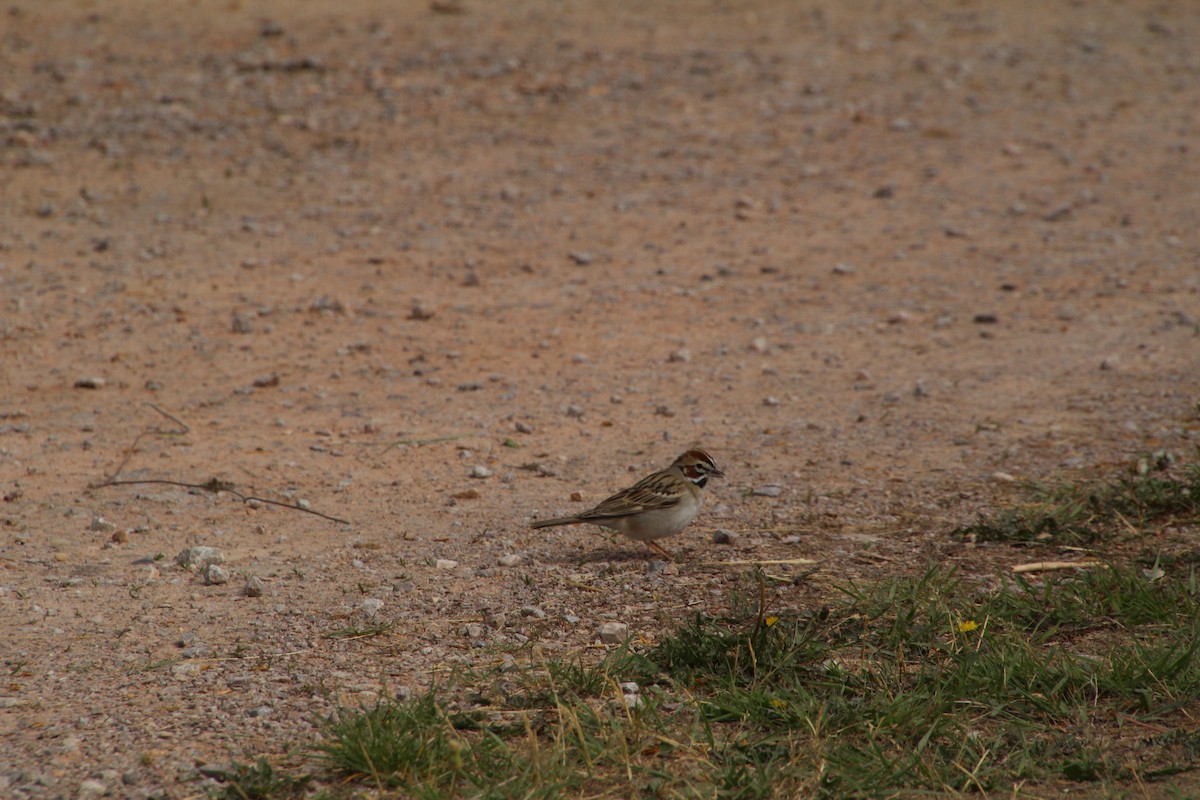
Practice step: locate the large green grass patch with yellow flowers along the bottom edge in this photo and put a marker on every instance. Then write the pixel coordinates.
(914, 685)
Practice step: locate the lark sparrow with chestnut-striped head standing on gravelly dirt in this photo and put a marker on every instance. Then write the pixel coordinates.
(658, 506)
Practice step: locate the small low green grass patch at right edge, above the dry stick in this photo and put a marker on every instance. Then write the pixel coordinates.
(1084, 514)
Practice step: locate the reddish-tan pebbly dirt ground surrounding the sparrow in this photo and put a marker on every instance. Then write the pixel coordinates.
(814, 200)
